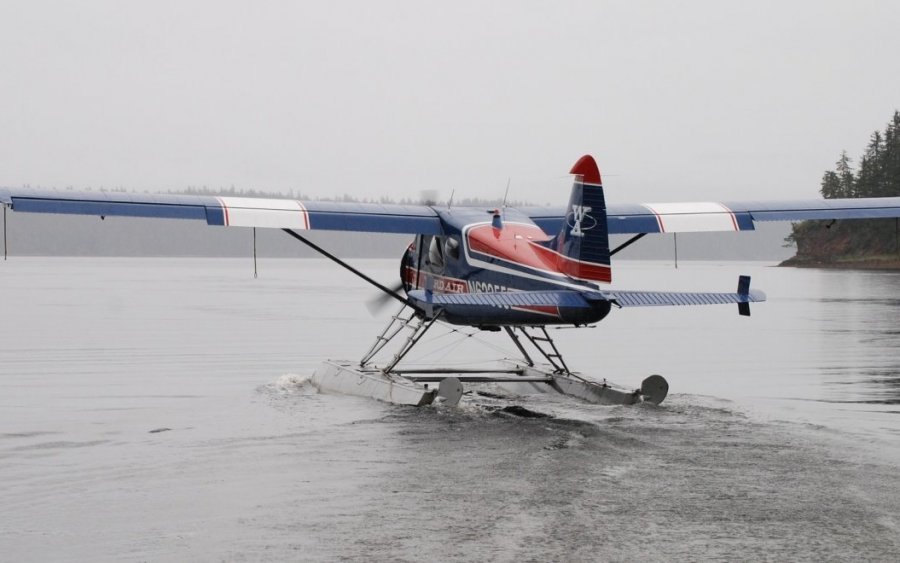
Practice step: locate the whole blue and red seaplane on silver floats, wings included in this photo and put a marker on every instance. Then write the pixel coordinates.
(508, 270)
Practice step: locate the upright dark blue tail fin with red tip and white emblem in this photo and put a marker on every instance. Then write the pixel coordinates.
(583, 241)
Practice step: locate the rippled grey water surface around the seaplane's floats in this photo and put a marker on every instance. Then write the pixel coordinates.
(158, 410)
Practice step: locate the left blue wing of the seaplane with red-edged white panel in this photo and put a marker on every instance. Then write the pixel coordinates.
(231, 211)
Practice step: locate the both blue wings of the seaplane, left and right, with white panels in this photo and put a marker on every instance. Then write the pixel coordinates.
(422, 219)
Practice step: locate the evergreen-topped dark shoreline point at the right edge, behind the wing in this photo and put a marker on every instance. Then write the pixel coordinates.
(871, 240)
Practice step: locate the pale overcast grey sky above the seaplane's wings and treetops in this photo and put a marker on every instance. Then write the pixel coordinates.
(677, 101)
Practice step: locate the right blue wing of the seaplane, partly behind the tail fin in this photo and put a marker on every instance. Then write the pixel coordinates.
(714, 216)
